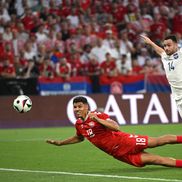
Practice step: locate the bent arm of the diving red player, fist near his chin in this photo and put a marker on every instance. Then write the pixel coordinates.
(111, 124)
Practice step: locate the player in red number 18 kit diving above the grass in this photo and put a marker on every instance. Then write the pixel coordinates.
(104, 133)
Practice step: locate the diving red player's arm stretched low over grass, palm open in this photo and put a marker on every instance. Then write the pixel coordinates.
(71, 140)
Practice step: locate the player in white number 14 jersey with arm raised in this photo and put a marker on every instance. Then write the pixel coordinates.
(171, 57)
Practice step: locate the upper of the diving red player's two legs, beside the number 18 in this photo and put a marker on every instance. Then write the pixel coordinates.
(163, 140)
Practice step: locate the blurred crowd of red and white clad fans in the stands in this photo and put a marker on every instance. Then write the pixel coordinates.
(65, 38)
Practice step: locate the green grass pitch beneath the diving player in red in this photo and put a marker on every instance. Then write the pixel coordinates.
(26, 149)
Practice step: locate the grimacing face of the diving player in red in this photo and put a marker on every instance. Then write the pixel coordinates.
(80, 109)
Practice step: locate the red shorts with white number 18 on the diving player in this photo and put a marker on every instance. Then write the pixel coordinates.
(135, 145)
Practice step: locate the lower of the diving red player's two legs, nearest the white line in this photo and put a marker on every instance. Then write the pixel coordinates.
(151, 159)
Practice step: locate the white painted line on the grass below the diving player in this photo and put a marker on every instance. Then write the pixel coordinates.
(90, 175)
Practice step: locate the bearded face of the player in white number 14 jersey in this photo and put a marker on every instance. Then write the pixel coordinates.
(170, 47)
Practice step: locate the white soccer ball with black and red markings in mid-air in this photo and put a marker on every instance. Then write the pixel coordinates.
(22, 104)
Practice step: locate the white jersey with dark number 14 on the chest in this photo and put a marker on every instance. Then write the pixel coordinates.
(173, 68)
